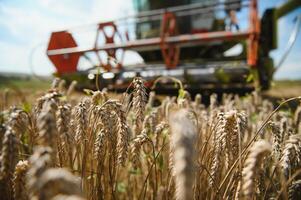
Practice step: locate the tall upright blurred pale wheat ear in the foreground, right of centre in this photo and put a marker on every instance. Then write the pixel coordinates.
(183, 137)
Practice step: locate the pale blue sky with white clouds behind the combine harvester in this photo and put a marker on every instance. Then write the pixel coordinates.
(26, 25)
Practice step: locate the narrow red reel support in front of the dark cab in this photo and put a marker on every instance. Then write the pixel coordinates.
(170, 52)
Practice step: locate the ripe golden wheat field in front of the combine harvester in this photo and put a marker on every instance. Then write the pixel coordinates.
(94, 146)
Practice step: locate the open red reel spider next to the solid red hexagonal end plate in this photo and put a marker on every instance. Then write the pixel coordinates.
(109, 39)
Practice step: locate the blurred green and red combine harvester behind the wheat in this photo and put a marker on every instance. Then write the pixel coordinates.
(184, 39)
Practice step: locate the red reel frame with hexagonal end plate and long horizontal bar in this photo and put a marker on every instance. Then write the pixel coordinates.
(64, 52)
